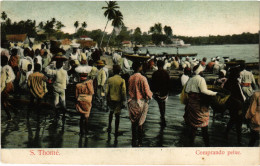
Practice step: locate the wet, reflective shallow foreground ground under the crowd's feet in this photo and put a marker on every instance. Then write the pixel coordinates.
(46, 131)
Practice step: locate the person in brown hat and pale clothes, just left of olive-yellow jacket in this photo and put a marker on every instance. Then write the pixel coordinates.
(101, 80)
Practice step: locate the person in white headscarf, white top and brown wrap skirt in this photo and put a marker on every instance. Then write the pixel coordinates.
(197, 109)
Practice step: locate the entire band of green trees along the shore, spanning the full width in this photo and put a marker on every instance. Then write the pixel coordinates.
(52, 29)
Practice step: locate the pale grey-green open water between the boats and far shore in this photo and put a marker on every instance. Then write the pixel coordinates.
(247, 52)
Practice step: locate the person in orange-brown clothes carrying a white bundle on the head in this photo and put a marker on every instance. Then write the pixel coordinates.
(84, 93)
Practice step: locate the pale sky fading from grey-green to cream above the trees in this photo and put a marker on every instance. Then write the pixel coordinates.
(186, 18)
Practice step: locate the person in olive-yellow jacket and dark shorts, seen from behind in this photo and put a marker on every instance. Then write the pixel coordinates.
(116, 95)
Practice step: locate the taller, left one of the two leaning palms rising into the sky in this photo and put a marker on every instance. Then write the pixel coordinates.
(110, 12)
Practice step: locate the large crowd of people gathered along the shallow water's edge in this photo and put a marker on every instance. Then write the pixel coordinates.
(40, 72)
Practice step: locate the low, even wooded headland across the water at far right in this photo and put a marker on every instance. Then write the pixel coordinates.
(244, 38)
